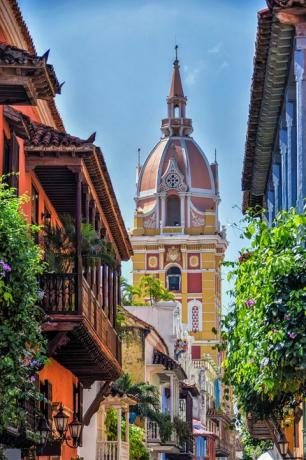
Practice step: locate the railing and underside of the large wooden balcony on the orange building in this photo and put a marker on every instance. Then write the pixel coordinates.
(80, 333)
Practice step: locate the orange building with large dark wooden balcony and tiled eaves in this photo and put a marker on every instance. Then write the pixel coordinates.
(63, 176)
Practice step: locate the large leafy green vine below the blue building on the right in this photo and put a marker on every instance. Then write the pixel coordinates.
(264, 333)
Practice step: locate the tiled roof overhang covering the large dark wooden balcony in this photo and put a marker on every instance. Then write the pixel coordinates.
(43, 140)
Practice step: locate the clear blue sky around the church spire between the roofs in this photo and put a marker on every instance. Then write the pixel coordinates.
(116, 59)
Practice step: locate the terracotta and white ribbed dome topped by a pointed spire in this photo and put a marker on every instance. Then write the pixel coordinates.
(176, 186)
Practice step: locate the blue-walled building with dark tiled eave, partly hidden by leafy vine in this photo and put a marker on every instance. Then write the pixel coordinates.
(274, 169)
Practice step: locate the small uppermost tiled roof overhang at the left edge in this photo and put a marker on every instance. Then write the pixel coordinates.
(18, 64)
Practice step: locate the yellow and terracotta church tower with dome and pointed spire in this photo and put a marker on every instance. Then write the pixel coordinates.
(176, 234)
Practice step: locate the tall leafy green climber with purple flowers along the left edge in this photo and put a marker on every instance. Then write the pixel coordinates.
(22, 346)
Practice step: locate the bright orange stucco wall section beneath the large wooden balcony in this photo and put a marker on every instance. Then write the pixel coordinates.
(62, 382)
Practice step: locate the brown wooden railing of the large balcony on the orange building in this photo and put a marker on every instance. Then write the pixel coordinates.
(61, 293)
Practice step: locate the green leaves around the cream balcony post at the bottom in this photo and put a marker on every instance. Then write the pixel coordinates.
(138, 450)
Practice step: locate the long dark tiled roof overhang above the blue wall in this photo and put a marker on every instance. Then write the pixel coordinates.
(271, 68)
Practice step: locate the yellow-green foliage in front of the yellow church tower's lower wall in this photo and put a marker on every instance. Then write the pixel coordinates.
(149, 288)
